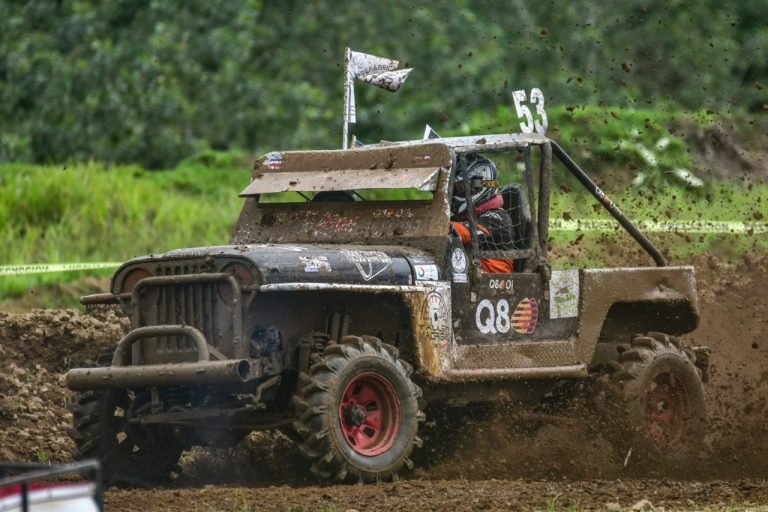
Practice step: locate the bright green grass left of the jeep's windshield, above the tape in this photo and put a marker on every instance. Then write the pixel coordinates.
(90, 213)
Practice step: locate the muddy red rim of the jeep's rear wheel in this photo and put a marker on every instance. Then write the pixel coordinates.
(667, 406)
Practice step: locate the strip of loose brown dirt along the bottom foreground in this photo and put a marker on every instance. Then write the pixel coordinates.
(455, 495)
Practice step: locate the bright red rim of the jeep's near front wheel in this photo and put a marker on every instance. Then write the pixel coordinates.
(369, 413)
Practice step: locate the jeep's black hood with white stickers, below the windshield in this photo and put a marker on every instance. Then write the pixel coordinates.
(279, 263)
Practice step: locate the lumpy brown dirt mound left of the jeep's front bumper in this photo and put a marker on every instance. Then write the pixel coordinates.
(35, 349)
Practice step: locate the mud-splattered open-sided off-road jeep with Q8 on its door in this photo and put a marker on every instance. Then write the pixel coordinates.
(343, 305)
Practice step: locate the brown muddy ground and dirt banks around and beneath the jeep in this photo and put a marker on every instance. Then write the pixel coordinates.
(495, 460)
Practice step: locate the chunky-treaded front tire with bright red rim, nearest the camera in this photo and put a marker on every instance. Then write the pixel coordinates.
(358, 412)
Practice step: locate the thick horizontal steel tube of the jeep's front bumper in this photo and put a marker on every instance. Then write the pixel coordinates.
(235, 371)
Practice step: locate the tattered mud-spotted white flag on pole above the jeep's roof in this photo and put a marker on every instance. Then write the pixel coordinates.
(374, 70)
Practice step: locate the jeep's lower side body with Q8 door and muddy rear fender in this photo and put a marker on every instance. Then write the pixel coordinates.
(569, 324)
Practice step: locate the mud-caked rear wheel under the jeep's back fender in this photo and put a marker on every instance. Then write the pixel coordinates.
(661, 400)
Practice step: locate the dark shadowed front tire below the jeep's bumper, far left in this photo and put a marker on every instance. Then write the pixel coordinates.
(130, 455)
